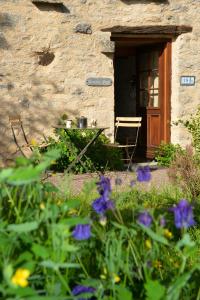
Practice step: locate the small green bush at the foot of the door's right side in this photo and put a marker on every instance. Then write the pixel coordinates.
(166, 153)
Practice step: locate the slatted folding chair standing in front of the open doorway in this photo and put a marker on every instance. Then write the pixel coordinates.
(131, 142)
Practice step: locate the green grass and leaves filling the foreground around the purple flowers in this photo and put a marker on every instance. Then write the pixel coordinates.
(122, 260)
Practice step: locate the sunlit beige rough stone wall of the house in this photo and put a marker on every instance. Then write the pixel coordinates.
(75, 37)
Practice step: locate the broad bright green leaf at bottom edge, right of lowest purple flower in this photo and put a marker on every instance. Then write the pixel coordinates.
(154, 290)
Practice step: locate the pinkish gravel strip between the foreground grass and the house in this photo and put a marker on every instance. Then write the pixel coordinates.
(159, 179)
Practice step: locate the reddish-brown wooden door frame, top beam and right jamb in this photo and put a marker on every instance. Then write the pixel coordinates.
(164, 77)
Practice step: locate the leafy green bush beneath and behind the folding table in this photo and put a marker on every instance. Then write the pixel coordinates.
(98, 156)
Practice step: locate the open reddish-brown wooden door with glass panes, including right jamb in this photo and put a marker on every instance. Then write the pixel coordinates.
(153, 96)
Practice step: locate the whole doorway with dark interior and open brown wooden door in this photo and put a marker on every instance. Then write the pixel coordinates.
(142, 88)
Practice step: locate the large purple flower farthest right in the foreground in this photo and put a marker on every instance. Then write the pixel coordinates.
(183, 214)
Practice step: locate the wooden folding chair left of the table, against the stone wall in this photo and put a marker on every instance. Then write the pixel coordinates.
(20, 137)
